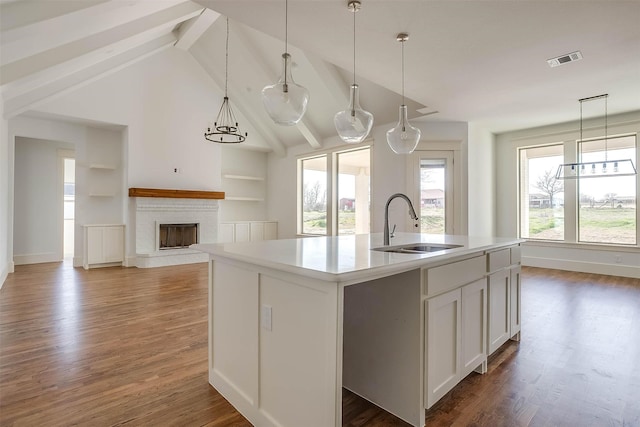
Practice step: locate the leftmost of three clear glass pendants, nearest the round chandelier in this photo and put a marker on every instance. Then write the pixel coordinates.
(285, 101)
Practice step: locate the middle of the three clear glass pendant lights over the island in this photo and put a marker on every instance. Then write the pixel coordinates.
(354, 123)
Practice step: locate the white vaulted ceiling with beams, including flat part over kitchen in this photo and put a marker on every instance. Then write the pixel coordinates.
(473, 61)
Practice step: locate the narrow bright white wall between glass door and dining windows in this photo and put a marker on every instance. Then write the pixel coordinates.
(482, 182)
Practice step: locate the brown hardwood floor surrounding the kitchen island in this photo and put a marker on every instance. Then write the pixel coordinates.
(120, 346)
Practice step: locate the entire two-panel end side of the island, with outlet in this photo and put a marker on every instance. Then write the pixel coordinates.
(280, 369)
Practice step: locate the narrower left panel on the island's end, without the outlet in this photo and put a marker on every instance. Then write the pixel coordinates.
(233, 334)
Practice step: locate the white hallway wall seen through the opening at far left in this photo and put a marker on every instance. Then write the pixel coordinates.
(37, 222)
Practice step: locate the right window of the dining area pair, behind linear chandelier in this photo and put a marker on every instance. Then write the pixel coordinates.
(607, 204)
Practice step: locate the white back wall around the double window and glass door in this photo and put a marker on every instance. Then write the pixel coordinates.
(388, 175)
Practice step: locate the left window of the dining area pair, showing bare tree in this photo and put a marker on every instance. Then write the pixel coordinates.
(541, 194)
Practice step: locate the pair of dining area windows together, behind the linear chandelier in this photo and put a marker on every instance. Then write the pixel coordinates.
(590, 209)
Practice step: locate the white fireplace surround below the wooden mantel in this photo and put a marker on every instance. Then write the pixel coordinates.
(152, 211)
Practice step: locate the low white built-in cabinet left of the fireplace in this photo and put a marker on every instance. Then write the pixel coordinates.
(103, 245)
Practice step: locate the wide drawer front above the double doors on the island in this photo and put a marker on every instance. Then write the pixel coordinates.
(451, 276)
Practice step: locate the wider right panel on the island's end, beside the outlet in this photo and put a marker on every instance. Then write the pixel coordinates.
(298, 355)
